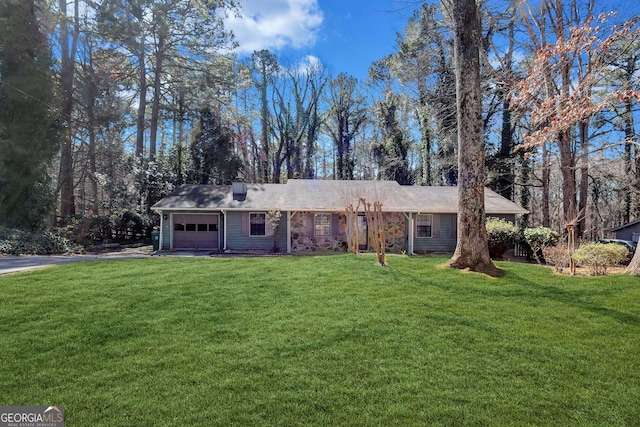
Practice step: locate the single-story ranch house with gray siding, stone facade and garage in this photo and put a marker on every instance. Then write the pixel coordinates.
(314, 216)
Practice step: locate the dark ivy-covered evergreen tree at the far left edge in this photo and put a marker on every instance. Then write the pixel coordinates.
(28, 131)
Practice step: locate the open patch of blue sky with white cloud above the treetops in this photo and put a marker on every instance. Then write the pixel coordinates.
(346, 35)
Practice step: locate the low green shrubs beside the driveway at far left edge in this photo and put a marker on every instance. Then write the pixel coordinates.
(28, 242)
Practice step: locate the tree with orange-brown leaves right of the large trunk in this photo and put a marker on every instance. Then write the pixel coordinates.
(559, 88)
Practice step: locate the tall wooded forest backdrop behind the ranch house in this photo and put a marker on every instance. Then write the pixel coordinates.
(105, 107)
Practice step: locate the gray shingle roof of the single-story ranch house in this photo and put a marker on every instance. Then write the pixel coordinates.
(327, 195)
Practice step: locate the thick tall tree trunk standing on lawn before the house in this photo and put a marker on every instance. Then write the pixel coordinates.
(472, 249)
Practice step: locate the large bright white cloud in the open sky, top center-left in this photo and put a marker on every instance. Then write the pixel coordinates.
(275, 24)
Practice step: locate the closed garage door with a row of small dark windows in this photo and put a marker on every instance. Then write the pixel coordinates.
(196, 231)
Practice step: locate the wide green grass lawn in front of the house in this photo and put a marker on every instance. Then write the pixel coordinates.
(332, 340)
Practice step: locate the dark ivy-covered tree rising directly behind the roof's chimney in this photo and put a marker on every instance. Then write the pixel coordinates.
(212, 151)
